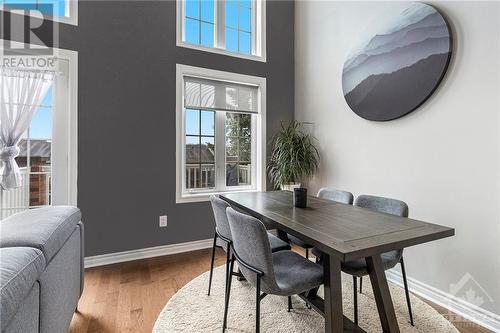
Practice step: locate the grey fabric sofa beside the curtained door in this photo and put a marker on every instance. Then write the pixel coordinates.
(41, 269)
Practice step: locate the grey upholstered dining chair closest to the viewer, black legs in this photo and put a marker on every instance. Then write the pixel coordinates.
(283, 273)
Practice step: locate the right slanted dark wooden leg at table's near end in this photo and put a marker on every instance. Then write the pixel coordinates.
(382, 294)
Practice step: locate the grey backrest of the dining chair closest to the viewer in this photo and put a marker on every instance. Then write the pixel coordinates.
(251, 244)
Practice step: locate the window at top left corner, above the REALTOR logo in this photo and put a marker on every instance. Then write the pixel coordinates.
(58, 10)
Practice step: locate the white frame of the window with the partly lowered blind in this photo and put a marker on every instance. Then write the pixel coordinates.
(258, 135)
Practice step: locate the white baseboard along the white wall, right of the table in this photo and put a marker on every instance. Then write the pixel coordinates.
(454, 304)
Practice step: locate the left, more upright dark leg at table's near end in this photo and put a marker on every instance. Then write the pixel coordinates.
(334, 317)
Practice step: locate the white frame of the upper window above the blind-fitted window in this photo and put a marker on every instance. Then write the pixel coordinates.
(258, 31)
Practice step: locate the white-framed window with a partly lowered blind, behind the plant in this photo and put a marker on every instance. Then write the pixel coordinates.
(220, 126)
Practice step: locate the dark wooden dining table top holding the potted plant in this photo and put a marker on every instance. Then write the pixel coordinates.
(346, 231)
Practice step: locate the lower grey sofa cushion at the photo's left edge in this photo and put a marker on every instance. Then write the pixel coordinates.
(19, 270)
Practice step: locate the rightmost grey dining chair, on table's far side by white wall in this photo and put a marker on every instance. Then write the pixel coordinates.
(358, 268)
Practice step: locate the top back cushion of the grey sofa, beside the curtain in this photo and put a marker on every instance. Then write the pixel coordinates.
(46, 228)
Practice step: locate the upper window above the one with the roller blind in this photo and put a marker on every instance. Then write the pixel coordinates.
(233, 27)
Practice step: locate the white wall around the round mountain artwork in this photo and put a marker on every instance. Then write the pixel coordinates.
(442, 159)
